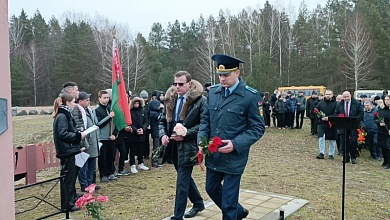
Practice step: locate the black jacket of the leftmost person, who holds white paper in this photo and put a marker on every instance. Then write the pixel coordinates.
(66, 137)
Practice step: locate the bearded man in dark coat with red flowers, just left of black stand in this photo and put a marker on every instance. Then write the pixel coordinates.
(325, 130)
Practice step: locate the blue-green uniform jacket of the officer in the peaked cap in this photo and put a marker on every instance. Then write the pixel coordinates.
(234, 118)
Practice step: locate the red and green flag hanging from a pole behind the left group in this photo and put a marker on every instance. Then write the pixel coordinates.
(119, 105)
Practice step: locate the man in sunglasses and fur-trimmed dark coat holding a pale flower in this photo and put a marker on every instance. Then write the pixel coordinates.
(184, 103)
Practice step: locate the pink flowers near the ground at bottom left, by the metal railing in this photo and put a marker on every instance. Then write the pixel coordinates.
(91, 204)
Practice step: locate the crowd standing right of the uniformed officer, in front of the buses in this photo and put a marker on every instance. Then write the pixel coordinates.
(372, 115)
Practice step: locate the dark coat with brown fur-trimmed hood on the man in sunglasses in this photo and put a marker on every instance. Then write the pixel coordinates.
(190, 116)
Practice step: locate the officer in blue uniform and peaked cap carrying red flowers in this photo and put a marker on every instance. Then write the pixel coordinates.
(232, 114)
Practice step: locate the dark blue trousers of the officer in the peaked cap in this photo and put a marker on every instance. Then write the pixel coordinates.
(224, 196)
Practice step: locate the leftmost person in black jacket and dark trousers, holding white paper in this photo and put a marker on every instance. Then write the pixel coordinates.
(67, 142)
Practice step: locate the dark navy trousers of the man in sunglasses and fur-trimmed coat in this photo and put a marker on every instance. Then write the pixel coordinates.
(185, 188)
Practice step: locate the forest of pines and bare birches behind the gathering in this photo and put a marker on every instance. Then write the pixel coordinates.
(341, 45)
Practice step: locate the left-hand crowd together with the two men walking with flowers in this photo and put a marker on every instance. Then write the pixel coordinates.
(228, 110)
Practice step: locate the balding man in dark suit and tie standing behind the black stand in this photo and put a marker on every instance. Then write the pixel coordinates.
(350, 107)
